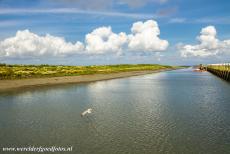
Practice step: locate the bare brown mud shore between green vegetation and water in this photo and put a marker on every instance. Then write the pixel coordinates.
(9, 85)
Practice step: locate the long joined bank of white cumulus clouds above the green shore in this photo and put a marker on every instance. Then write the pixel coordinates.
(144, 37)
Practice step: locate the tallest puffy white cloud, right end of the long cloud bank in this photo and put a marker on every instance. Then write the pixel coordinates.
(145, 37)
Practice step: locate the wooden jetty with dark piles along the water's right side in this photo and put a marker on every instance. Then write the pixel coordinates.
(222, 70)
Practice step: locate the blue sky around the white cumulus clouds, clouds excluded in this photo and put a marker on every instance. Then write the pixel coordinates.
(179, 22)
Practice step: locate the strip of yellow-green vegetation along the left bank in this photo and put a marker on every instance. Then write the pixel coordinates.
(37, 71)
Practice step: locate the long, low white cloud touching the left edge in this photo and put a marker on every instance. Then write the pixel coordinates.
(27, 44)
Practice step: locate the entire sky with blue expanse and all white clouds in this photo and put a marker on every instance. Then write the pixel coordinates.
(94, 32)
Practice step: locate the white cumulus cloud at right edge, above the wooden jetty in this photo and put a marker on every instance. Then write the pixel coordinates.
(208, 45)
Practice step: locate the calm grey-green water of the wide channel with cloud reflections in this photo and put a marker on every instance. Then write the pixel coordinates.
(179, 112)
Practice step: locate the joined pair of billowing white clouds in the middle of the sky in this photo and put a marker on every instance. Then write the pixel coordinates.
(144, 37)
